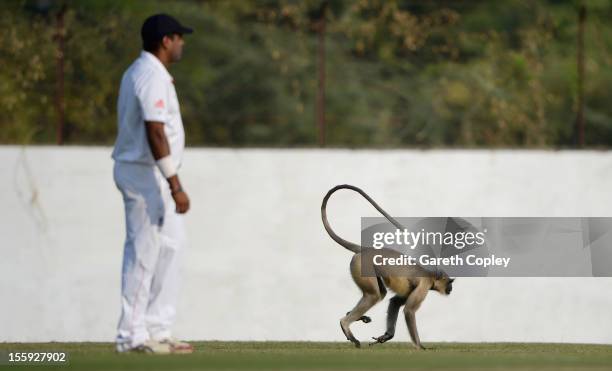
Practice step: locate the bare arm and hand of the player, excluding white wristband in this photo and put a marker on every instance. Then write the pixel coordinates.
(160, 149)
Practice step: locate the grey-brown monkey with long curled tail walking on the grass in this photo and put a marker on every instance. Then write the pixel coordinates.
(410, 284)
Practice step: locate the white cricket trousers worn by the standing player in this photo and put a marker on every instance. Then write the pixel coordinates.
(155, 239)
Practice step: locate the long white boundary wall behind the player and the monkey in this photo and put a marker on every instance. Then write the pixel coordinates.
(260, 265)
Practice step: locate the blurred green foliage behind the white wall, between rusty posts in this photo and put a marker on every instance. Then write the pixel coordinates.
(399, 73)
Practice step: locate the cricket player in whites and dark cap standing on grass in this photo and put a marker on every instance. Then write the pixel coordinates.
(148, 154)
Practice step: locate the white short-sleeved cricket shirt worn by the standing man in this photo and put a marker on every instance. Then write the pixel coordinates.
(147, 94)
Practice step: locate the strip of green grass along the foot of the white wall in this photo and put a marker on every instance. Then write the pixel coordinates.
(212, 355)
